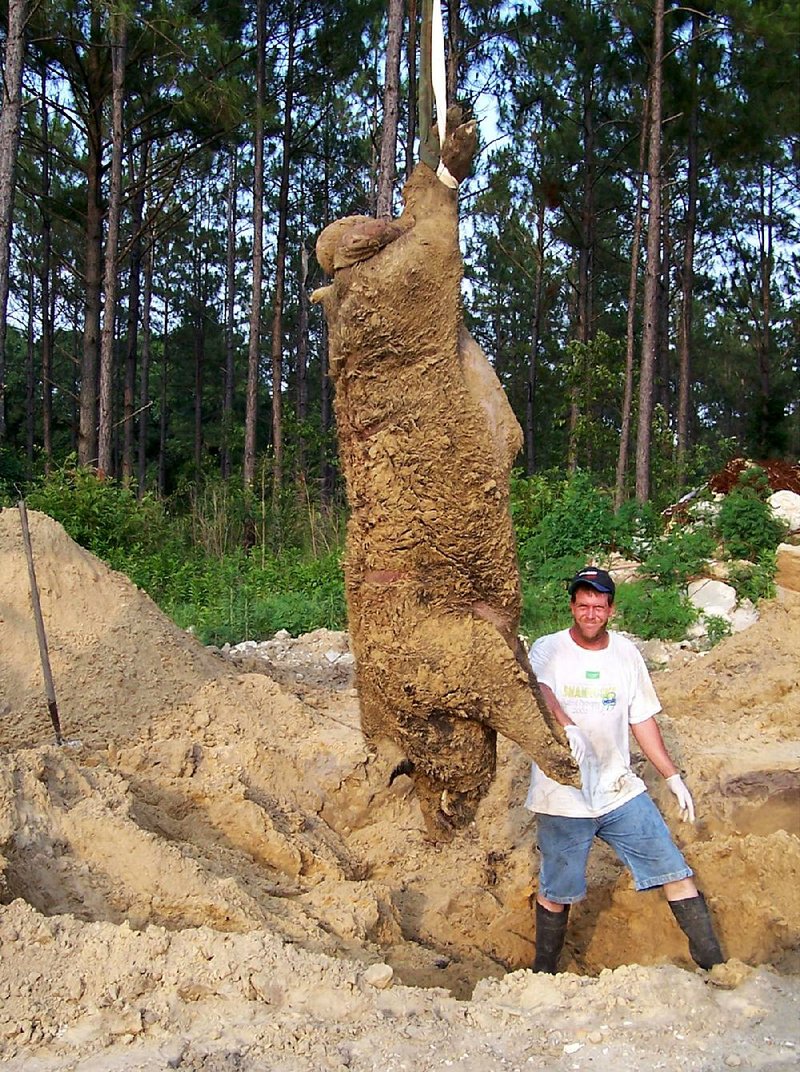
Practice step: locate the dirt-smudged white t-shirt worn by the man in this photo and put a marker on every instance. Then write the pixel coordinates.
(603, 693)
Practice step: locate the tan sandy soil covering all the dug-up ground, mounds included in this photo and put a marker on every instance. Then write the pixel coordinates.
(214, 873)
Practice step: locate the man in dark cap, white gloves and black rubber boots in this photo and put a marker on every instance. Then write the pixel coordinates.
(598, 687)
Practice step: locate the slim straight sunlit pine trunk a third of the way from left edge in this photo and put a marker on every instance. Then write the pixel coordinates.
(251, 407)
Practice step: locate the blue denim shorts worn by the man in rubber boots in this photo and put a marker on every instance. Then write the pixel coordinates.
(635, 831)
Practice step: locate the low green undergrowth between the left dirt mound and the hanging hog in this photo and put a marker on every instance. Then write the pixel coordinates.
(195, 567)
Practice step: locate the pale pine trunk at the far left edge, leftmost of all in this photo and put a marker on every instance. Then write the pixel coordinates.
(10, 116)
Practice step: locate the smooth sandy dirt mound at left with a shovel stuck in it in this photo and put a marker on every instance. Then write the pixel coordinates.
(116, 660)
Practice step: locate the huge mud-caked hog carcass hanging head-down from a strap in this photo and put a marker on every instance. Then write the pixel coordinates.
(427, 440)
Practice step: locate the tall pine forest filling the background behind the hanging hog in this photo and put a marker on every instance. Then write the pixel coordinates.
(631, 235)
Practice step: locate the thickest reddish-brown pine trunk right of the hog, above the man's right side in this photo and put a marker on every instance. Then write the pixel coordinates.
(653, 272)
